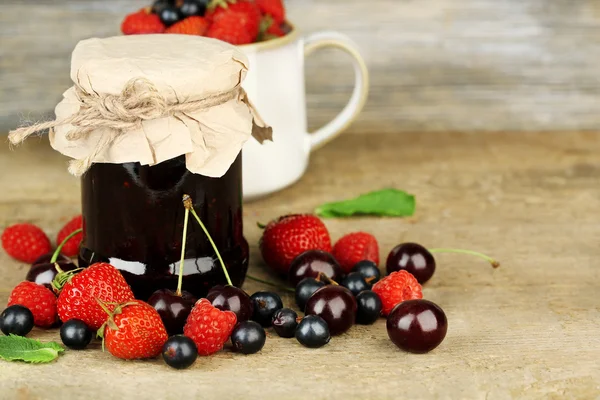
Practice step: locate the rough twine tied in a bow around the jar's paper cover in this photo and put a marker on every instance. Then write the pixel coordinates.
(139, 101)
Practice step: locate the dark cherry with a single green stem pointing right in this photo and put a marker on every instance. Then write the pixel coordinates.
(413, 258)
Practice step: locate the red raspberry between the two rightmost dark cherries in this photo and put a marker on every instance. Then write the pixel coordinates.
(396, 288)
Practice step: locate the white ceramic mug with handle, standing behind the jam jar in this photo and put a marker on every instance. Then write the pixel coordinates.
(275, 84)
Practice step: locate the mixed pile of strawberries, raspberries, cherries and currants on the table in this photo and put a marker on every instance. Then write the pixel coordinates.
(334, 286)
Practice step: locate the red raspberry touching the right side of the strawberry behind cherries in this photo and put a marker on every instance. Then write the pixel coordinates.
(356, 247)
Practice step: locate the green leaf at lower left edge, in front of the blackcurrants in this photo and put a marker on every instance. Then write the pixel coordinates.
(18, 348)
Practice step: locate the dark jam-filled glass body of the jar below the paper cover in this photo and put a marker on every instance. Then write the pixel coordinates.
(133, 219)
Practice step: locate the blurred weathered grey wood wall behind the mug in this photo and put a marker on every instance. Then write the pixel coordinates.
(437, 65)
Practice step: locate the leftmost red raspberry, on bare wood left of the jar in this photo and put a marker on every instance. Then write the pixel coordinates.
(25, 242)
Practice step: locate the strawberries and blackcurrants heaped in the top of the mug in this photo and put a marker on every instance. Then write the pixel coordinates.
(237, 22)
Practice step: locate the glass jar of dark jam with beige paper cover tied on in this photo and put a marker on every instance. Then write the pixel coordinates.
(152, 118)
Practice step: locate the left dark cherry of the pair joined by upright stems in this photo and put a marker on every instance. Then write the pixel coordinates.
(173, 309)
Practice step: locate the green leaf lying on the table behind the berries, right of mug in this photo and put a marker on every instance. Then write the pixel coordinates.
(386, 202)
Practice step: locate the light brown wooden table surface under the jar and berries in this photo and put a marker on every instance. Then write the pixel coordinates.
(529, 329)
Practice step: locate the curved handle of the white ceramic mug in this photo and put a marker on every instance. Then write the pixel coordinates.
(361, 85)
